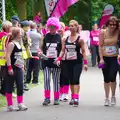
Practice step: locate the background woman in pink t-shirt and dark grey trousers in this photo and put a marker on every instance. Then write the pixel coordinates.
(94, 35)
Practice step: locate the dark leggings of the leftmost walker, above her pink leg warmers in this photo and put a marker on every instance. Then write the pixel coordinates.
(18, 77)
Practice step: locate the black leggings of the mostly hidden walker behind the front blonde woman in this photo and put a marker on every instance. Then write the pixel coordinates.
(64, 80)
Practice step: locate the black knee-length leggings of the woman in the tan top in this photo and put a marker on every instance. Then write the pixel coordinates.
(110, 69)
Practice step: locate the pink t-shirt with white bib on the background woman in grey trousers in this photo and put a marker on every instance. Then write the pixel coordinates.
(94, 35)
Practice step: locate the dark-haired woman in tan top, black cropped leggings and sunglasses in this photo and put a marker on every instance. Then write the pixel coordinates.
(108, 58)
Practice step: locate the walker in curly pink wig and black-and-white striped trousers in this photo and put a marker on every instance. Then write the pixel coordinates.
(51, 48)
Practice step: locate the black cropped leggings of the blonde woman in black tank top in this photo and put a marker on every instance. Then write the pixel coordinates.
(74, 69)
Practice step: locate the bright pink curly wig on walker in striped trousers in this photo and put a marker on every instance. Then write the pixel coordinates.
(53, 21)
